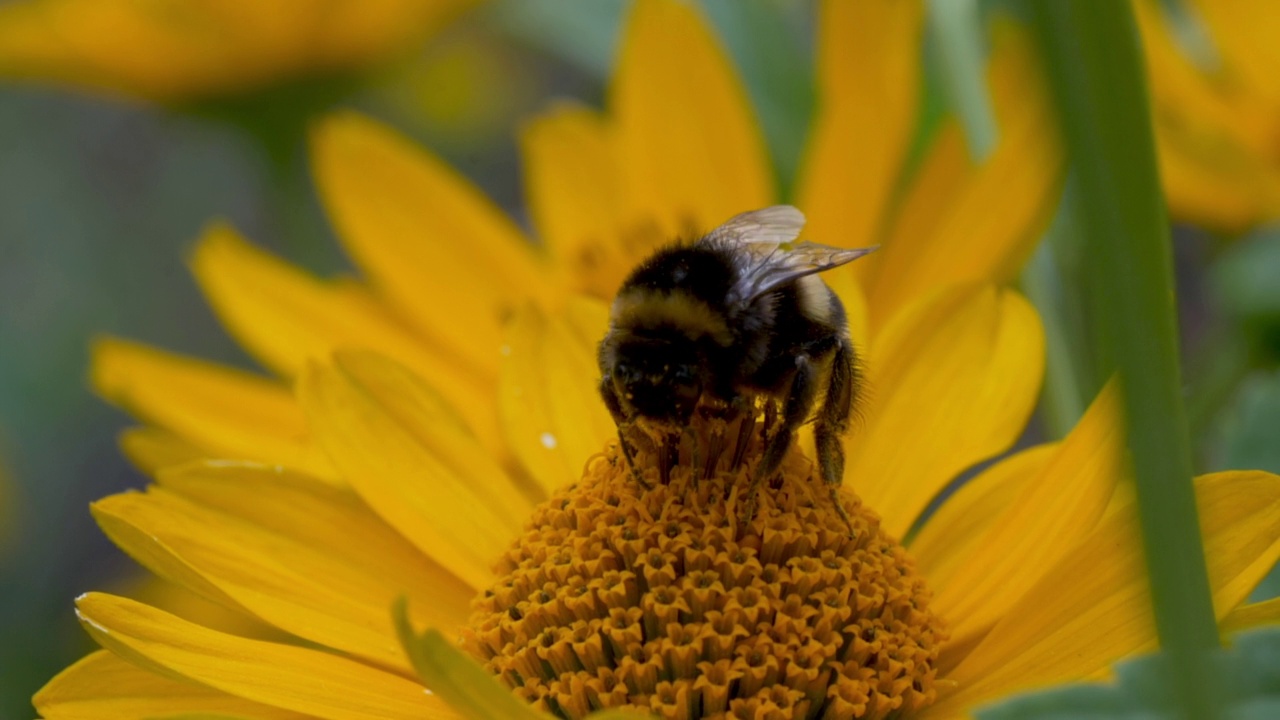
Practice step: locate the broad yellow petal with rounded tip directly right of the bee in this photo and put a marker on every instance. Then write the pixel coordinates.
(952, 381)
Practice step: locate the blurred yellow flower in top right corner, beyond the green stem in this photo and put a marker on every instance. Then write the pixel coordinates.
(1218, 115)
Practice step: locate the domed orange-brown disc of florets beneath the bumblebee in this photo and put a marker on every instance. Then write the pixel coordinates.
(619, 595)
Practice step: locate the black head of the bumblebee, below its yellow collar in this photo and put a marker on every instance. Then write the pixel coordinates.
(660, 379)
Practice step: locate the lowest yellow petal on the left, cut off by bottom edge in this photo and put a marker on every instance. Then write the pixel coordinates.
(104, 687)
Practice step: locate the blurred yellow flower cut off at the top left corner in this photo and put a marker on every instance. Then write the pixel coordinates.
(184, 51)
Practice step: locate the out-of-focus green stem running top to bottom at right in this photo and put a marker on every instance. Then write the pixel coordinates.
(1098, 79)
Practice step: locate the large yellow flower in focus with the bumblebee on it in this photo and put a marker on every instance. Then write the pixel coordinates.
(438, 412)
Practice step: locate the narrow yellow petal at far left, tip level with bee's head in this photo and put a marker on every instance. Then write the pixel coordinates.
(230, 412)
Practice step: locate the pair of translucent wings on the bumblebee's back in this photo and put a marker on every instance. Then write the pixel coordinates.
(761, 241)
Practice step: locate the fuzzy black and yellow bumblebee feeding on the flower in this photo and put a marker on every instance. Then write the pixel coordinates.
(729, 322)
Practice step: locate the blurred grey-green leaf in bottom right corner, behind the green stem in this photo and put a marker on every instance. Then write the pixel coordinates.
(1251, 690)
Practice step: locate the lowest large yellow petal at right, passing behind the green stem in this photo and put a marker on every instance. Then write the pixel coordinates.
(1092, 608)
